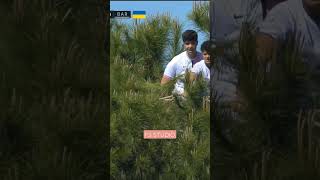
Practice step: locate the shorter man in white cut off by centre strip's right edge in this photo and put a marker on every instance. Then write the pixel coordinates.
(203, 67)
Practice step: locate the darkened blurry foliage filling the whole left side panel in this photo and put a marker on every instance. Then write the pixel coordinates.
(52, 92)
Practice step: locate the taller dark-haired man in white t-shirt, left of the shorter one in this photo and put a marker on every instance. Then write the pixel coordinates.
(183, 62)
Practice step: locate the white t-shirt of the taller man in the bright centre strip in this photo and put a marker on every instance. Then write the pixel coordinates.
(178, 66)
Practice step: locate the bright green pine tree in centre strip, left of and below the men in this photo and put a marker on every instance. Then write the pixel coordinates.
(136, 106)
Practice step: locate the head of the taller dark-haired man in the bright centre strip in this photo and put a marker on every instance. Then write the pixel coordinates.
(190, 42)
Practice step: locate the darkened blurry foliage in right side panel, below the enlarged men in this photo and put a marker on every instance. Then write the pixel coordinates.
(261, 142)
